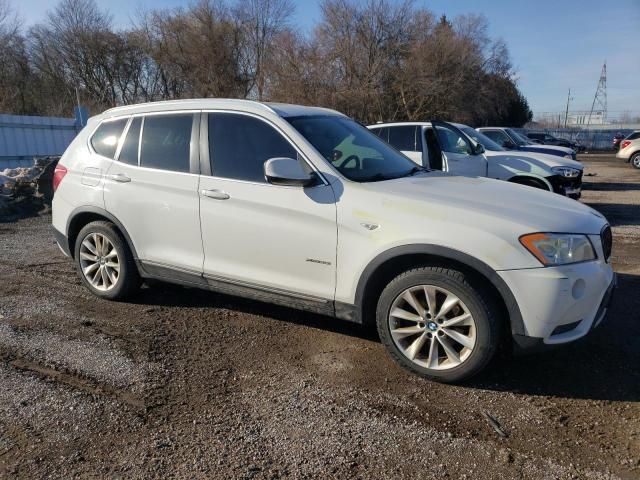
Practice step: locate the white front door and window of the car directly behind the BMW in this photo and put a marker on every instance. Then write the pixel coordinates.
(458, 152)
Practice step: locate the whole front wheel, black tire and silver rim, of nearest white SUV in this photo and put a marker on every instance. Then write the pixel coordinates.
(484, 326)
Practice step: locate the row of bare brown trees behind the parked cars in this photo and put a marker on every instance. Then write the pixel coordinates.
(373, 60)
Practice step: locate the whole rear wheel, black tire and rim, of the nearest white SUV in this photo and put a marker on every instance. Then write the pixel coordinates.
(112, 272)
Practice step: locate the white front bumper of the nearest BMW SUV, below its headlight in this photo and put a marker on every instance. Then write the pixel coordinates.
(560, 304)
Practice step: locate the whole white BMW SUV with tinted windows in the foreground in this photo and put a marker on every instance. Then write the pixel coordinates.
(305, 207)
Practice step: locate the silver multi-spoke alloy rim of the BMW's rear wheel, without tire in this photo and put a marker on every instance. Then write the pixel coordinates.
(99, 261)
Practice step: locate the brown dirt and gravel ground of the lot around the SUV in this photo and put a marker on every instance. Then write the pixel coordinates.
(181, 383)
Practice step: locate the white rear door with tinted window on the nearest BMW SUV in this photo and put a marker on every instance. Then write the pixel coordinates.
(152, 189)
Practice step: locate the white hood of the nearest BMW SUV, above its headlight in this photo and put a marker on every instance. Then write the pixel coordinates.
(507, 207)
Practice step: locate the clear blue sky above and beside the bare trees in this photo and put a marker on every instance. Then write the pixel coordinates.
(554, 45)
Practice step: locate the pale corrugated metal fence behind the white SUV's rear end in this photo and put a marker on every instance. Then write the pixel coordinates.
(23, 138)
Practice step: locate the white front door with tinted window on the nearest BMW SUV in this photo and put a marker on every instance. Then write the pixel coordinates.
(256, 234)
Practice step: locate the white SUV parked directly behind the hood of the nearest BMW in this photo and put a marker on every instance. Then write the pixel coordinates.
(462, 150)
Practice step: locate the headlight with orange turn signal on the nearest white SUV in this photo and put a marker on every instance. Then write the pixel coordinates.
(559, 248)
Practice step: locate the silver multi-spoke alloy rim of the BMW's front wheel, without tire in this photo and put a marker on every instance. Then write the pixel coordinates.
(432, 327)
